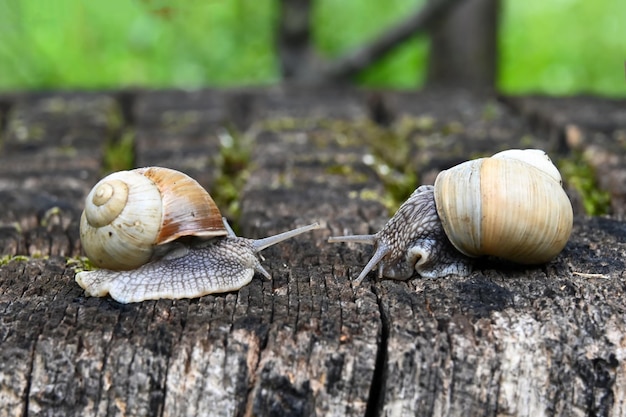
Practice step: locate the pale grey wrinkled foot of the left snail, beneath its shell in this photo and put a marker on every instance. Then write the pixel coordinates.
(217, 265)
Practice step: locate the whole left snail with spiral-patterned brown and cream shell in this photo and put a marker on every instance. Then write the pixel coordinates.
(159, 234)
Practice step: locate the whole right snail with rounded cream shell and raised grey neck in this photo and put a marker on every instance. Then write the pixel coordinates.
(511, 205)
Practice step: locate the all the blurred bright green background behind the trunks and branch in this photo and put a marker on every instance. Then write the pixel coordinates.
(546, 46)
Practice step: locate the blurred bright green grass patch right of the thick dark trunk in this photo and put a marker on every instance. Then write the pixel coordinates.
(563, 46)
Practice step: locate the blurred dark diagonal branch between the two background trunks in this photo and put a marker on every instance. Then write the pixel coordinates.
(359, 59)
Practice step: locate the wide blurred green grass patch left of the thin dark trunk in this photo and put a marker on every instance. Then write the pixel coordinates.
(96, 44)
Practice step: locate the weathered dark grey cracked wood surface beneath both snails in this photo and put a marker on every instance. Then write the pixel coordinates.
(506, 341)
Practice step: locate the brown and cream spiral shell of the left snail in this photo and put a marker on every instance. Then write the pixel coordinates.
(129, 213)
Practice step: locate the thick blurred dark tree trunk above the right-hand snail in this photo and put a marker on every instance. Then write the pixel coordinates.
(463, 50)
